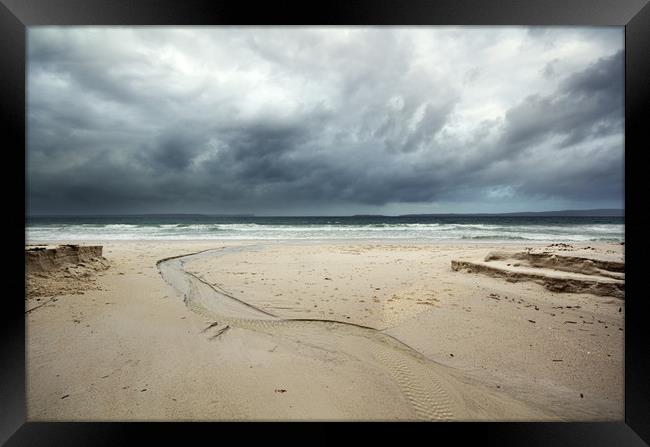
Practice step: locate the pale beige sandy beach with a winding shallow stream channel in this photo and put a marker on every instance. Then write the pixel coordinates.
(404, 336)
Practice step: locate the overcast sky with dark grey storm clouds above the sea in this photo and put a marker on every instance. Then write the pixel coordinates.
(331, 120)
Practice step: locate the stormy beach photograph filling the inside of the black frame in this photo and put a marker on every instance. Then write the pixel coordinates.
(325, 223)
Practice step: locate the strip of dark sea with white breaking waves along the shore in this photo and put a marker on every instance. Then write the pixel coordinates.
(433, 228)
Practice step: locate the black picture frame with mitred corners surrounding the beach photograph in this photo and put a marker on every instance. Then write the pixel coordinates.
(16, 15)
